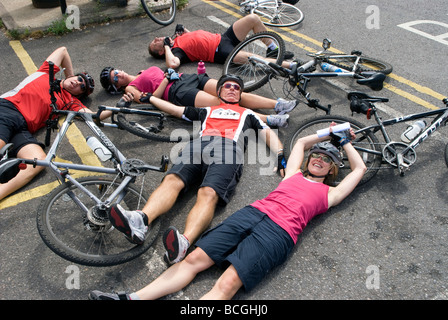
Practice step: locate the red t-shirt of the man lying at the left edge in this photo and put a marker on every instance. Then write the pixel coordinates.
(32, 98)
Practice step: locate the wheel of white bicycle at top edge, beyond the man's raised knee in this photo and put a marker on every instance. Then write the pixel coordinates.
(279, 14)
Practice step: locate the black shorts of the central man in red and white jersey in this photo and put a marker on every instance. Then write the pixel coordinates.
(202, 162)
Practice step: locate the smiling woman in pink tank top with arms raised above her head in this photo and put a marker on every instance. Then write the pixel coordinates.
(259, 237)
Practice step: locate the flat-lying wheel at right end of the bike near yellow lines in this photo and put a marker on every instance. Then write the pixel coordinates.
(365, 63)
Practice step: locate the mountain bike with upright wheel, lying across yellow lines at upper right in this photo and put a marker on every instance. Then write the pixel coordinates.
(251, 60)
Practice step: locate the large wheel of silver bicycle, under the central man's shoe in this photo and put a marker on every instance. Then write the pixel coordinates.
(86, 236)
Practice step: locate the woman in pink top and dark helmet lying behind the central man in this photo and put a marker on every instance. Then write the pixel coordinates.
(196, 90)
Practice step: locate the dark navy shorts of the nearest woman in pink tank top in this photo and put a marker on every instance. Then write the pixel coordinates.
(250, 241)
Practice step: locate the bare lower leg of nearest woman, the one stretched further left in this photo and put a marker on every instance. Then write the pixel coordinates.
(177, 276)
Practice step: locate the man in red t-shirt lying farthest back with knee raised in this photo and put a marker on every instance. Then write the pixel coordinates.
(198, 45)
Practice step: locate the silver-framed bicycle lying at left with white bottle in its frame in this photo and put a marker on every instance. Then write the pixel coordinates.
(72, 219)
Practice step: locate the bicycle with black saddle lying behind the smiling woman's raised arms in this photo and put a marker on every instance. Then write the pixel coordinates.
(377, 155)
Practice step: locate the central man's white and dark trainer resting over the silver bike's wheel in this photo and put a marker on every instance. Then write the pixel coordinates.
(134, 224)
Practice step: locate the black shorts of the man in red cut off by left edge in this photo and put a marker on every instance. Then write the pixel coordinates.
(13, 128)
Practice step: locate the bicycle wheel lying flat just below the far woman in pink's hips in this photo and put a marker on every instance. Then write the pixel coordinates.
(167, 129)
